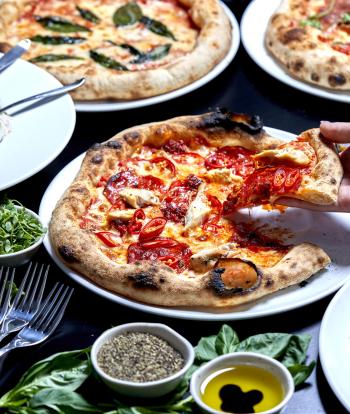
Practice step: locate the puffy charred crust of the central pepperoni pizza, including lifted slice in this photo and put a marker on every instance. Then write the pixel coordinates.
(153, 282)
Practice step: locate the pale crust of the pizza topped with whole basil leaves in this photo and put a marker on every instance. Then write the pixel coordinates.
(210, 47)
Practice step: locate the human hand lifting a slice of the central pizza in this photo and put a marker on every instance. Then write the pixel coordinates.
(337, 132)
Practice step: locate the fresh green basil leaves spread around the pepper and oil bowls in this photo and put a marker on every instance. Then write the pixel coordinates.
(53, 385)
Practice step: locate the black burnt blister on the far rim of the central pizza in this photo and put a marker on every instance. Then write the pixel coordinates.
(227, 120)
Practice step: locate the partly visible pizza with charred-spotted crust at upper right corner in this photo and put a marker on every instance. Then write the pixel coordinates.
(311, 38)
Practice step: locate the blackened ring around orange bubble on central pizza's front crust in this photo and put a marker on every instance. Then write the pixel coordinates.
(217, 284)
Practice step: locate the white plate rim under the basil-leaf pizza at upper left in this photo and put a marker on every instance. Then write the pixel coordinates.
(105, 106)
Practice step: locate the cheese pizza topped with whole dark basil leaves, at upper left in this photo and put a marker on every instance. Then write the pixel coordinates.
(126, 49)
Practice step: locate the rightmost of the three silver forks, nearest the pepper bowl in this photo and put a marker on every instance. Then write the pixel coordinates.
(44, 322)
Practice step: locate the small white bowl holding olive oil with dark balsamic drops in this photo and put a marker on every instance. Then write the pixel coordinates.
(242, 358)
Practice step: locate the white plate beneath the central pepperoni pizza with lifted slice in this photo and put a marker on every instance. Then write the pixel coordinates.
(329, 230)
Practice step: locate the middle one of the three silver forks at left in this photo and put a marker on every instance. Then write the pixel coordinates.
(27, 300)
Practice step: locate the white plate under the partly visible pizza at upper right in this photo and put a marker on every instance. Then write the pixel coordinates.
(253, 27)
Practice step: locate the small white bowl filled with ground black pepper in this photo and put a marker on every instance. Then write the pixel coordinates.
(149, 389)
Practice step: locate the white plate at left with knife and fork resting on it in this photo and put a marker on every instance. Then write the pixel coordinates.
(38, 134)
